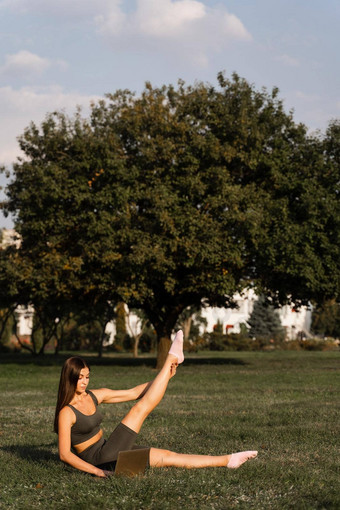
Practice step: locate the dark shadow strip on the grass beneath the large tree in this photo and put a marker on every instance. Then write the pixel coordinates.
(123, 361)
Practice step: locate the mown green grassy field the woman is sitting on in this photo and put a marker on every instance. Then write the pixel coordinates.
(284, 404)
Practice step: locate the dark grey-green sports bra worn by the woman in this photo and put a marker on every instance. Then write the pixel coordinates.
(86, 426)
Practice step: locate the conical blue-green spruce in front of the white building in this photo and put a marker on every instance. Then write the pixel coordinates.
(264, 321)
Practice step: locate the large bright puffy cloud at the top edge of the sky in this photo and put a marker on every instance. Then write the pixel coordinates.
(186, 28)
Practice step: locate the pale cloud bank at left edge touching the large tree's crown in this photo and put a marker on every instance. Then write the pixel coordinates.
(20, 107)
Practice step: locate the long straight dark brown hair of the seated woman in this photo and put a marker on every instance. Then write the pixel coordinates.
(68, 383)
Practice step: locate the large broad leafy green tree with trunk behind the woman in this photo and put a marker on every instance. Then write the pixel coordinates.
(181, 196)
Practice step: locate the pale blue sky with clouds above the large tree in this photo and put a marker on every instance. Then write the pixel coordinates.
(56, 54)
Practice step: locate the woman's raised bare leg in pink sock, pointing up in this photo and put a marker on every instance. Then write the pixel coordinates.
(136, 416)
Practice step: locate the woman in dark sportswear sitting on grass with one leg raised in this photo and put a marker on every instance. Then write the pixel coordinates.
(80, 438)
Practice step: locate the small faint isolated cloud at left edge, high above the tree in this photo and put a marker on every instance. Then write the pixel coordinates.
(23, 64)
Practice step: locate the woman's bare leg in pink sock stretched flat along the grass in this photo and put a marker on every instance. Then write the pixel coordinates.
(166, 458)
